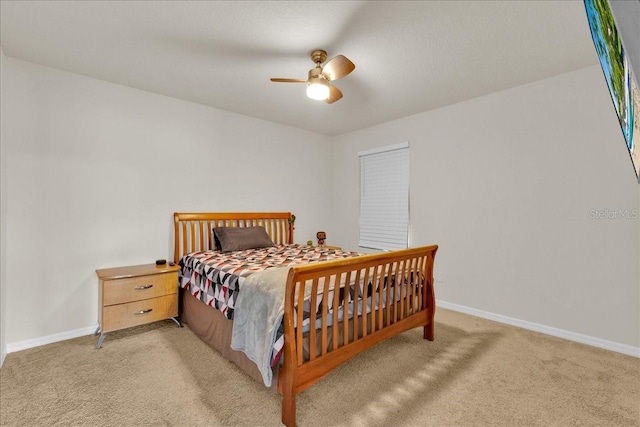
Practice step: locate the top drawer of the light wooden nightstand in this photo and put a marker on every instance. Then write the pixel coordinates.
(139, 288)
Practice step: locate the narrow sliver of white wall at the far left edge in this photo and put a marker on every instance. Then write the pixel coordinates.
(3, 225)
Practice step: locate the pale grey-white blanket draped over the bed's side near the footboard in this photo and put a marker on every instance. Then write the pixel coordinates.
(258, 314)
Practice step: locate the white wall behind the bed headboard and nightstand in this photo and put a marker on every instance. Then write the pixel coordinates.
(95, 171)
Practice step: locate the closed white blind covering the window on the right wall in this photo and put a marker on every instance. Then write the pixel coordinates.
(384, 197)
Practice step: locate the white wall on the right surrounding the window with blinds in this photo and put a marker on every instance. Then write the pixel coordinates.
(511, 186)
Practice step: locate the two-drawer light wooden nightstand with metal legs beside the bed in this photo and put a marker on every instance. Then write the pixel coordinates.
(135, 295)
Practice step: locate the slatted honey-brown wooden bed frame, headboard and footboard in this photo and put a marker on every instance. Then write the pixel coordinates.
(311, 355)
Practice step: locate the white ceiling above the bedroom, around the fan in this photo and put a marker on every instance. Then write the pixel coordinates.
(410, 56)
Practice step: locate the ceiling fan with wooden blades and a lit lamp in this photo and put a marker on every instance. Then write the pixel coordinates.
(318, 86)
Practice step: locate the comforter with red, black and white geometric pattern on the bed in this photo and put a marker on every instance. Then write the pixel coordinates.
(216, 278)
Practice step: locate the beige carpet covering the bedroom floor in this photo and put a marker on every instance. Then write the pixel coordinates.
(476, 373)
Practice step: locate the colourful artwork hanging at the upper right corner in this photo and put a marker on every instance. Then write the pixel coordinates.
(621, 80)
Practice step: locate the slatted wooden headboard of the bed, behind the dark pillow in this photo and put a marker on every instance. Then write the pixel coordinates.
(194, 231)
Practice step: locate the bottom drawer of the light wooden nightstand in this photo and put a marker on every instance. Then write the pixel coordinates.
(139, 312)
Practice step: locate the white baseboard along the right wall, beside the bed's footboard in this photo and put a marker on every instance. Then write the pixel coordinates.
(560, 333)
